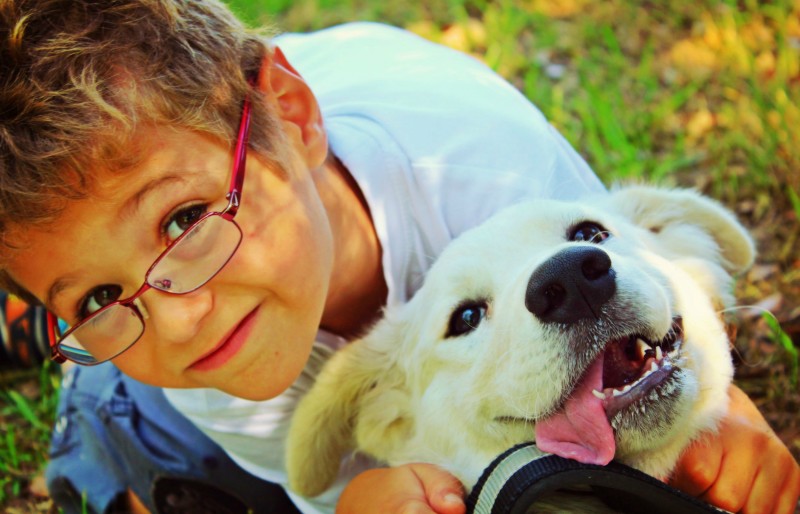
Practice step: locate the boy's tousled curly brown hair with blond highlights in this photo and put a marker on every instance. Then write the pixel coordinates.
(77, 77)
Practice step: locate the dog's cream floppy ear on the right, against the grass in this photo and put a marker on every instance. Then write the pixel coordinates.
(690, 224)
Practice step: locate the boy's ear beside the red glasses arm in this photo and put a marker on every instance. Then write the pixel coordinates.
(295, 104)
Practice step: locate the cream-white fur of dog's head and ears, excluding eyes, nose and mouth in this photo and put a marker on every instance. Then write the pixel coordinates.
(407, 393)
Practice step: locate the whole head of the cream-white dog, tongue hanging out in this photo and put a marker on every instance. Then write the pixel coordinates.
(590, 327)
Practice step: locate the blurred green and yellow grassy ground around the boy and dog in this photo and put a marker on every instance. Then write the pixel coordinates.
(698, 93)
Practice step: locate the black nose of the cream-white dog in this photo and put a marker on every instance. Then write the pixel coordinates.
(571, 285)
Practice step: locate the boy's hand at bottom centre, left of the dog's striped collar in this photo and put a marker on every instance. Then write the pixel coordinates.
(408, 489)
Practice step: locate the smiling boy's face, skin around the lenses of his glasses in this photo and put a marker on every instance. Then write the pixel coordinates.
(249, 330)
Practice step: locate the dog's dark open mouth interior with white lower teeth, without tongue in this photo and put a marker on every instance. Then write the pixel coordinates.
(634, 366)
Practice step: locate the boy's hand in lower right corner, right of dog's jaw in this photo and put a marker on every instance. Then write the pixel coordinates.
(746, 468)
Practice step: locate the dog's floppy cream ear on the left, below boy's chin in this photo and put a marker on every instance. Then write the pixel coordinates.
(357, 401)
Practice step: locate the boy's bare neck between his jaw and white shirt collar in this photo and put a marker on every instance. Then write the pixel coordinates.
(357, 287)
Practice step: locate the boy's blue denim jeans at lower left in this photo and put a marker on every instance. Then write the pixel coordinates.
(113, 433)
